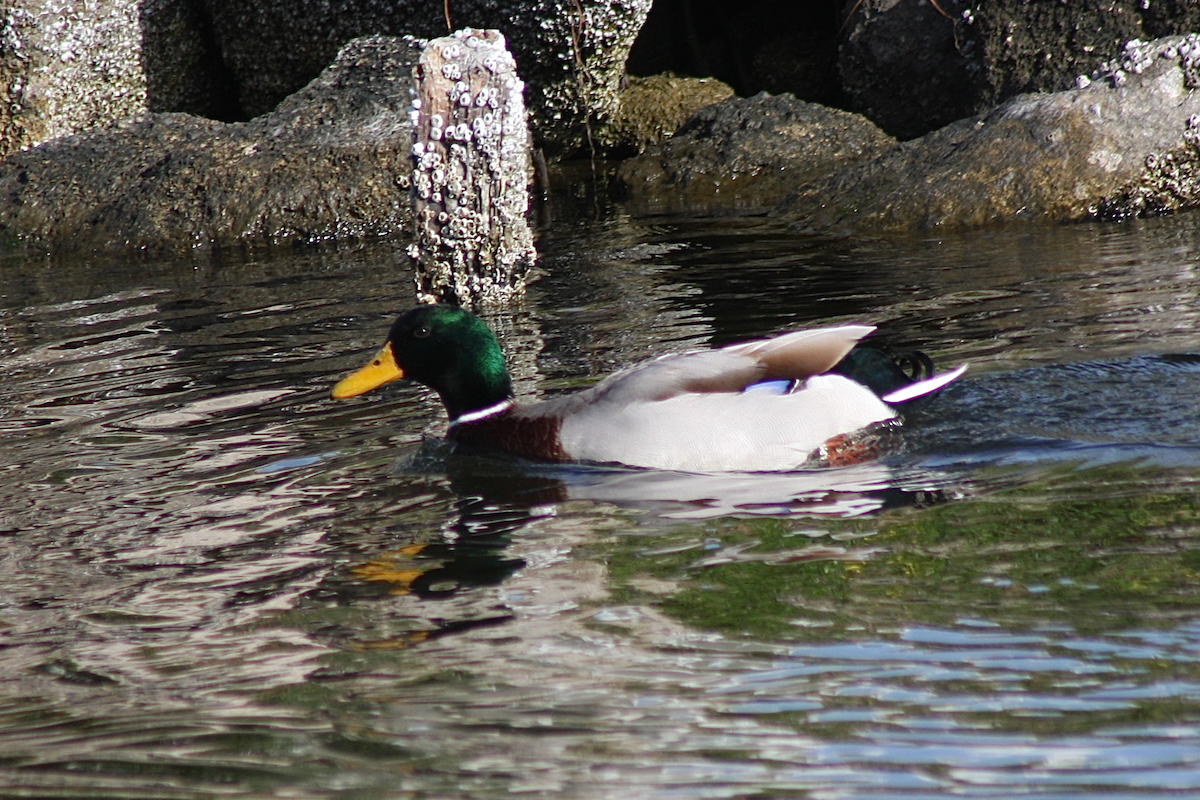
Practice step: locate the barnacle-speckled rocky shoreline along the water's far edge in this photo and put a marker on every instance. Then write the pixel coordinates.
(333, 159)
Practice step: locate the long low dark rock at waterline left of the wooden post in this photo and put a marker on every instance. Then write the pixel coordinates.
(333, 160)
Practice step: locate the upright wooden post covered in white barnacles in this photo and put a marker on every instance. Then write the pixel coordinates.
(471, 173)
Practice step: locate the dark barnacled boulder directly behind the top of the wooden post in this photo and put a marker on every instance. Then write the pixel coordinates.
(571, 53)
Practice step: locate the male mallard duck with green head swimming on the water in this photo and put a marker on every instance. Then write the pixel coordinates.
(763, 406)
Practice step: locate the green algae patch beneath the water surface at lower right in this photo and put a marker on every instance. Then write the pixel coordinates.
(1097, 549)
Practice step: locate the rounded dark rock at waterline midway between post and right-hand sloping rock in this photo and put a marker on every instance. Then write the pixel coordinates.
(747, 155)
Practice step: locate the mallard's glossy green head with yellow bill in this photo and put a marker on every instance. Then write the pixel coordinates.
(447, 348)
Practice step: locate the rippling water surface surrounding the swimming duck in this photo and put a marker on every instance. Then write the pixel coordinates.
(219, 584)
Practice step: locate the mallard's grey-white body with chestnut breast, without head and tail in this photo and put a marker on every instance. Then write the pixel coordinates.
(764, 406)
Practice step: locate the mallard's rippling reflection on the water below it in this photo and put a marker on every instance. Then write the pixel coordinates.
(497, 497)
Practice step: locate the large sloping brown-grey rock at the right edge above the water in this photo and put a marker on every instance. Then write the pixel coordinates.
(1060, 157)
